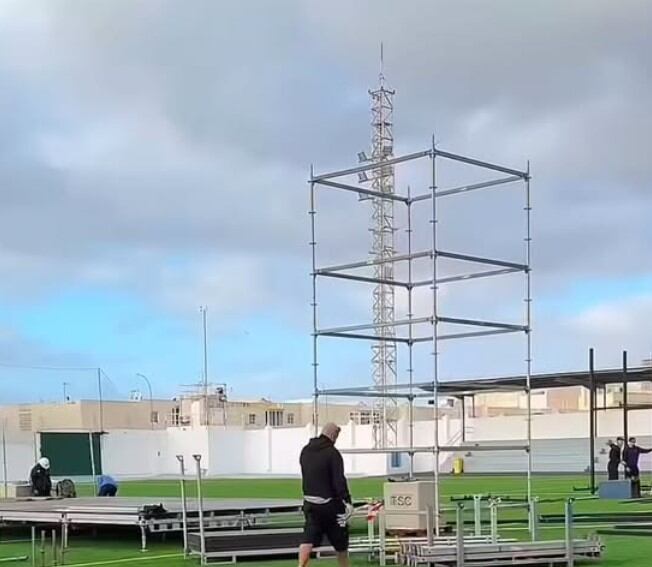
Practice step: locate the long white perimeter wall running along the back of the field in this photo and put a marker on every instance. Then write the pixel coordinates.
(559, 444)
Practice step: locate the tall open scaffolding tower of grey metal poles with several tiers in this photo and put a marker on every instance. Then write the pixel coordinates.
(408, 331)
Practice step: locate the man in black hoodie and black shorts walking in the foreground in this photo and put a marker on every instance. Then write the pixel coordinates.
(327, 501)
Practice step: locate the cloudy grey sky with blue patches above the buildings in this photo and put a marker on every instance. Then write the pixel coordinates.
(154, 157)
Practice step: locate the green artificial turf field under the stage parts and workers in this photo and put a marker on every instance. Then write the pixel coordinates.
(123, 548)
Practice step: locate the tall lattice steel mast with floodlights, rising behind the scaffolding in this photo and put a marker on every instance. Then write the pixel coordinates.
(382, 247)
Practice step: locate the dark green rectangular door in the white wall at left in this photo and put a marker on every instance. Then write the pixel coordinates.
(70, 453)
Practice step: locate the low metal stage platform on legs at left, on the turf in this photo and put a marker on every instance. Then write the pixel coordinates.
(150, 515)
